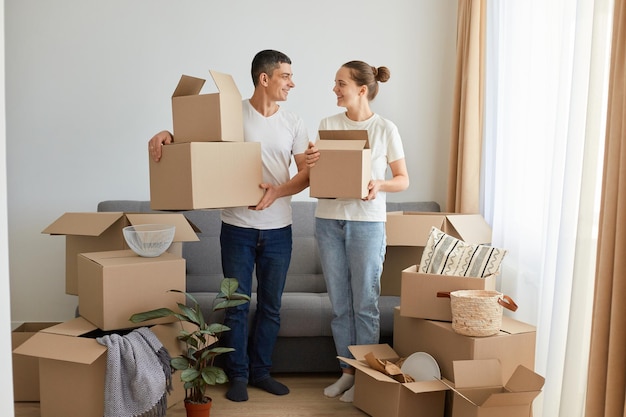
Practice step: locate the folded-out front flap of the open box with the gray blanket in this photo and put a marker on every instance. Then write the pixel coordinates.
(64, 348)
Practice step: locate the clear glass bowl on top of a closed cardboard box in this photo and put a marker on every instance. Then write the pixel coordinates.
(149, 240)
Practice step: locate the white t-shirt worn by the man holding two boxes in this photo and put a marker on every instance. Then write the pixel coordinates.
(282, 135)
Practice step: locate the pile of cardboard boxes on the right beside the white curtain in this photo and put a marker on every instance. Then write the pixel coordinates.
(481, 376)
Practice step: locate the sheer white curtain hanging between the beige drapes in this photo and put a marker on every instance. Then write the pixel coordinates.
(546, 81)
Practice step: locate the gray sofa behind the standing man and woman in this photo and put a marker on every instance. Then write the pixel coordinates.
(305, 342)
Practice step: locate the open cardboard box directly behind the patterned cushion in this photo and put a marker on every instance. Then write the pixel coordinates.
(407, 234)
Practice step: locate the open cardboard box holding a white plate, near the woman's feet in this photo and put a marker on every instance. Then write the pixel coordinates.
(379, 395)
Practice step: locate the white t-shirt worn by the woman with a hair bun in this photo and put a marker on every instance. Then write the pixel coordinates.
(386, 147)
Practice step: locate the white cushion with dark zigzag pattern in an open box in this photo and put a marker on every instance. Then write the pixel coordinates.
(447, 255)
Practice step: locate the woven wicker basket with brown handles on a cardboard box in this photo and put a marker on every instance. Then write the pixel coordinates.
(478, 312)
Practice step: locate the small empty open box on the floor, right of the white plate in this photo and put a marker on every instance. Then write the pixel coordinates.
(479, 390)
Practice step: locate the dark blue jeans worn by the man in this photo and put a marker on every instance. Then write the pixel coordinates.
(243, 251)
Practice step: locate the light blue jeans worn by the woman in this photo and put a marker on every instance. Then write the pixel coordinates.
(352, 255)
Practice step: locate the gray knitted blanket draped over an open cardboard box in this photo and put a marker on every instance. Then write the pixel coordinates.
(138, 375)
